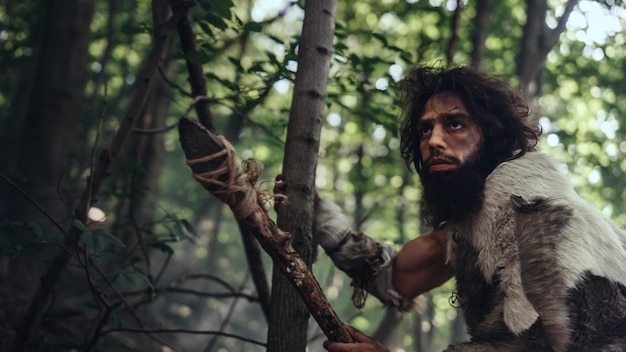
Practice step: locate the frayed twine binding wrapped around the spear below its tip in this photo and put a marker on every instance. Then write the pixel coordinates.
(233, 184)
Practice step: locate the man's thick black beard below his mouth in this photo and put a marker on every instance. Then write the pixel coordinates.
(454, 195)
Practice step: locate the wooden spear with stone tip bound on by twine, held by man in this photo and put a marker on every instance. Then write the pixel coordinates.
(213, 165)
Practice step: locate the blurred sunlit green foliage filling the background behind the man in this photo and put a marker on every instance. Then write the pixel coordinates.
(248, 51)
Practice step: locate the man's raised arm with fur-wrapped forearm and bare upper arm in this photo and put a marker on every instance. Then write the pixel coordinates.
(419, 266)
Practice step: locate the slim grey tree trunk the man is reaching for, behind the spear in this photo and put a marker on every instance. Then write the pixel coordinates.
(289, 318)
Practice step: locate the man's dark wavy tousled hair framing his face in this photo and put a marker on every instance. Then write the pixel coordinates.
(500, 111)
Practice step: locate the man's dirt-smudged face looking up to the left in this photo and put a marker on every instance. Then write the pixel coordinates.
(448, 135)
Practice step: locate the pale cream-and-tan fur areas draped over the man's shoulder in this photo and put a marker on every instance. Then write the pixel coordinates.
(585, 240)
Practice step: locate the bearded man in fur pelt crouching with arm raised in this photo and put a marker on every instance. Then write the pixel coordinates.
(537, 267)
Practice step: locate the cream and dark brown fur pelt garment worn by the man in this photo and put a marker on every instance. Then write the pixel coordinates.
(539, 268)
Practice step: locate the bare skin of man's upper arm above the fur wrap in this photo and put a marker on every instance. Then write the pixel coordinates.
(421, 264)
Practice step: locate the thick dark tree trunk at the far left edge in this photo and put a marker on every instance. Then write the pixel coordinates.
(44, 125)
